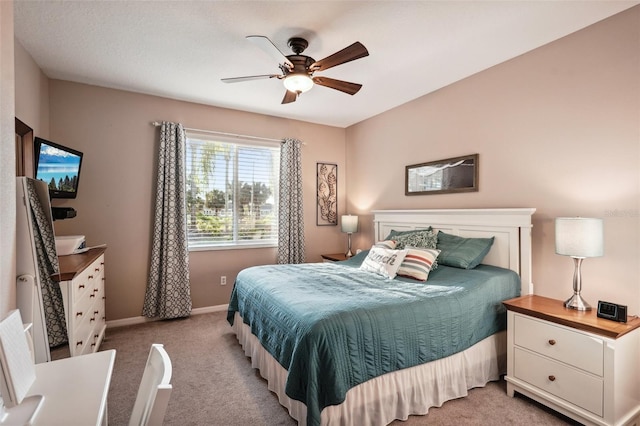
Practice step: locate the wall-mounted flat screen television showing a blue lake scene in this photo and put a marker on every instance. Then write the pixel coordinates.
(58, 166)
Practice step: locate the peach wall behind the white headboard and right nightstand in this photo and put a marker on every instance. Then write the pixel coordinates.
(556, 129)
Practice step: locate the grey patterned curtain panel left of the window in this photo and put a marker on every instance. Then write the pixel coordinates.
(168, 291)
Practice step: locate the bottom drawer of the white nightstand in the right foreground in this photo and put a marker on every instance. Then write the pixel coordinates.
(574, 386)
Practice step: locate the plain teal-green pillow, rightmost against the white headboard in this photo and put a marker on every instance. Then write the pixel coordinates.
(466, 253)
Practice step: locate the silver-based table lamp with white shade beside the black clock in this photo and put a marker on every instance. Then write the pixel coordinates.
(579, 237)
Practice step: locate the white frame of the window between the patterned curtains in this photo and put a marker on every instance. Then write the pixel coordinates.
(236, 243)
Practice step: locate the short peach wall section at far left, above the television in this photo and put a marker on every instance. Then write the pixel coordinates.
(32, 87)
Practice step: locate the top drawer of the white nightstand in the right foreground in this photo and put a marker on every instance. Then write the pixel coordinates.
(571, 347)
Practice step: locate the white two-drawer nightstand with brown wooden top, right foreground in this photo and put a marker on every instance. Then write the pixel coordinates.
(582, 366)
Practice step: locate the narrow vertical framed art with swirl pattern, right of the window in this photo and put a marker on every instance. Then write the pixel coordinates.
(326, 194)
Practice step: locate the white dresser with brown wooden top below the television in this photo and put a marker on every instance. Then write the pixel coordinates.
(83, 293)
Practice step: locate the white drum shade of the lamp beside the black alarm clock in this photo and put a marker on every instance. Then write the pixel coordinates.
(579, 237)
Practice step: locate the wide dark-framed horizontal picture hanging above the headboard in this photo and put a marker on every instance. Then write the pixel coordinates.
(451, 175)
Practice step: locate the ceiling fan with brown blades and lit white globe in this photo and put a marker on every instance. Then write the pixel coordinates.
(297, 69)
